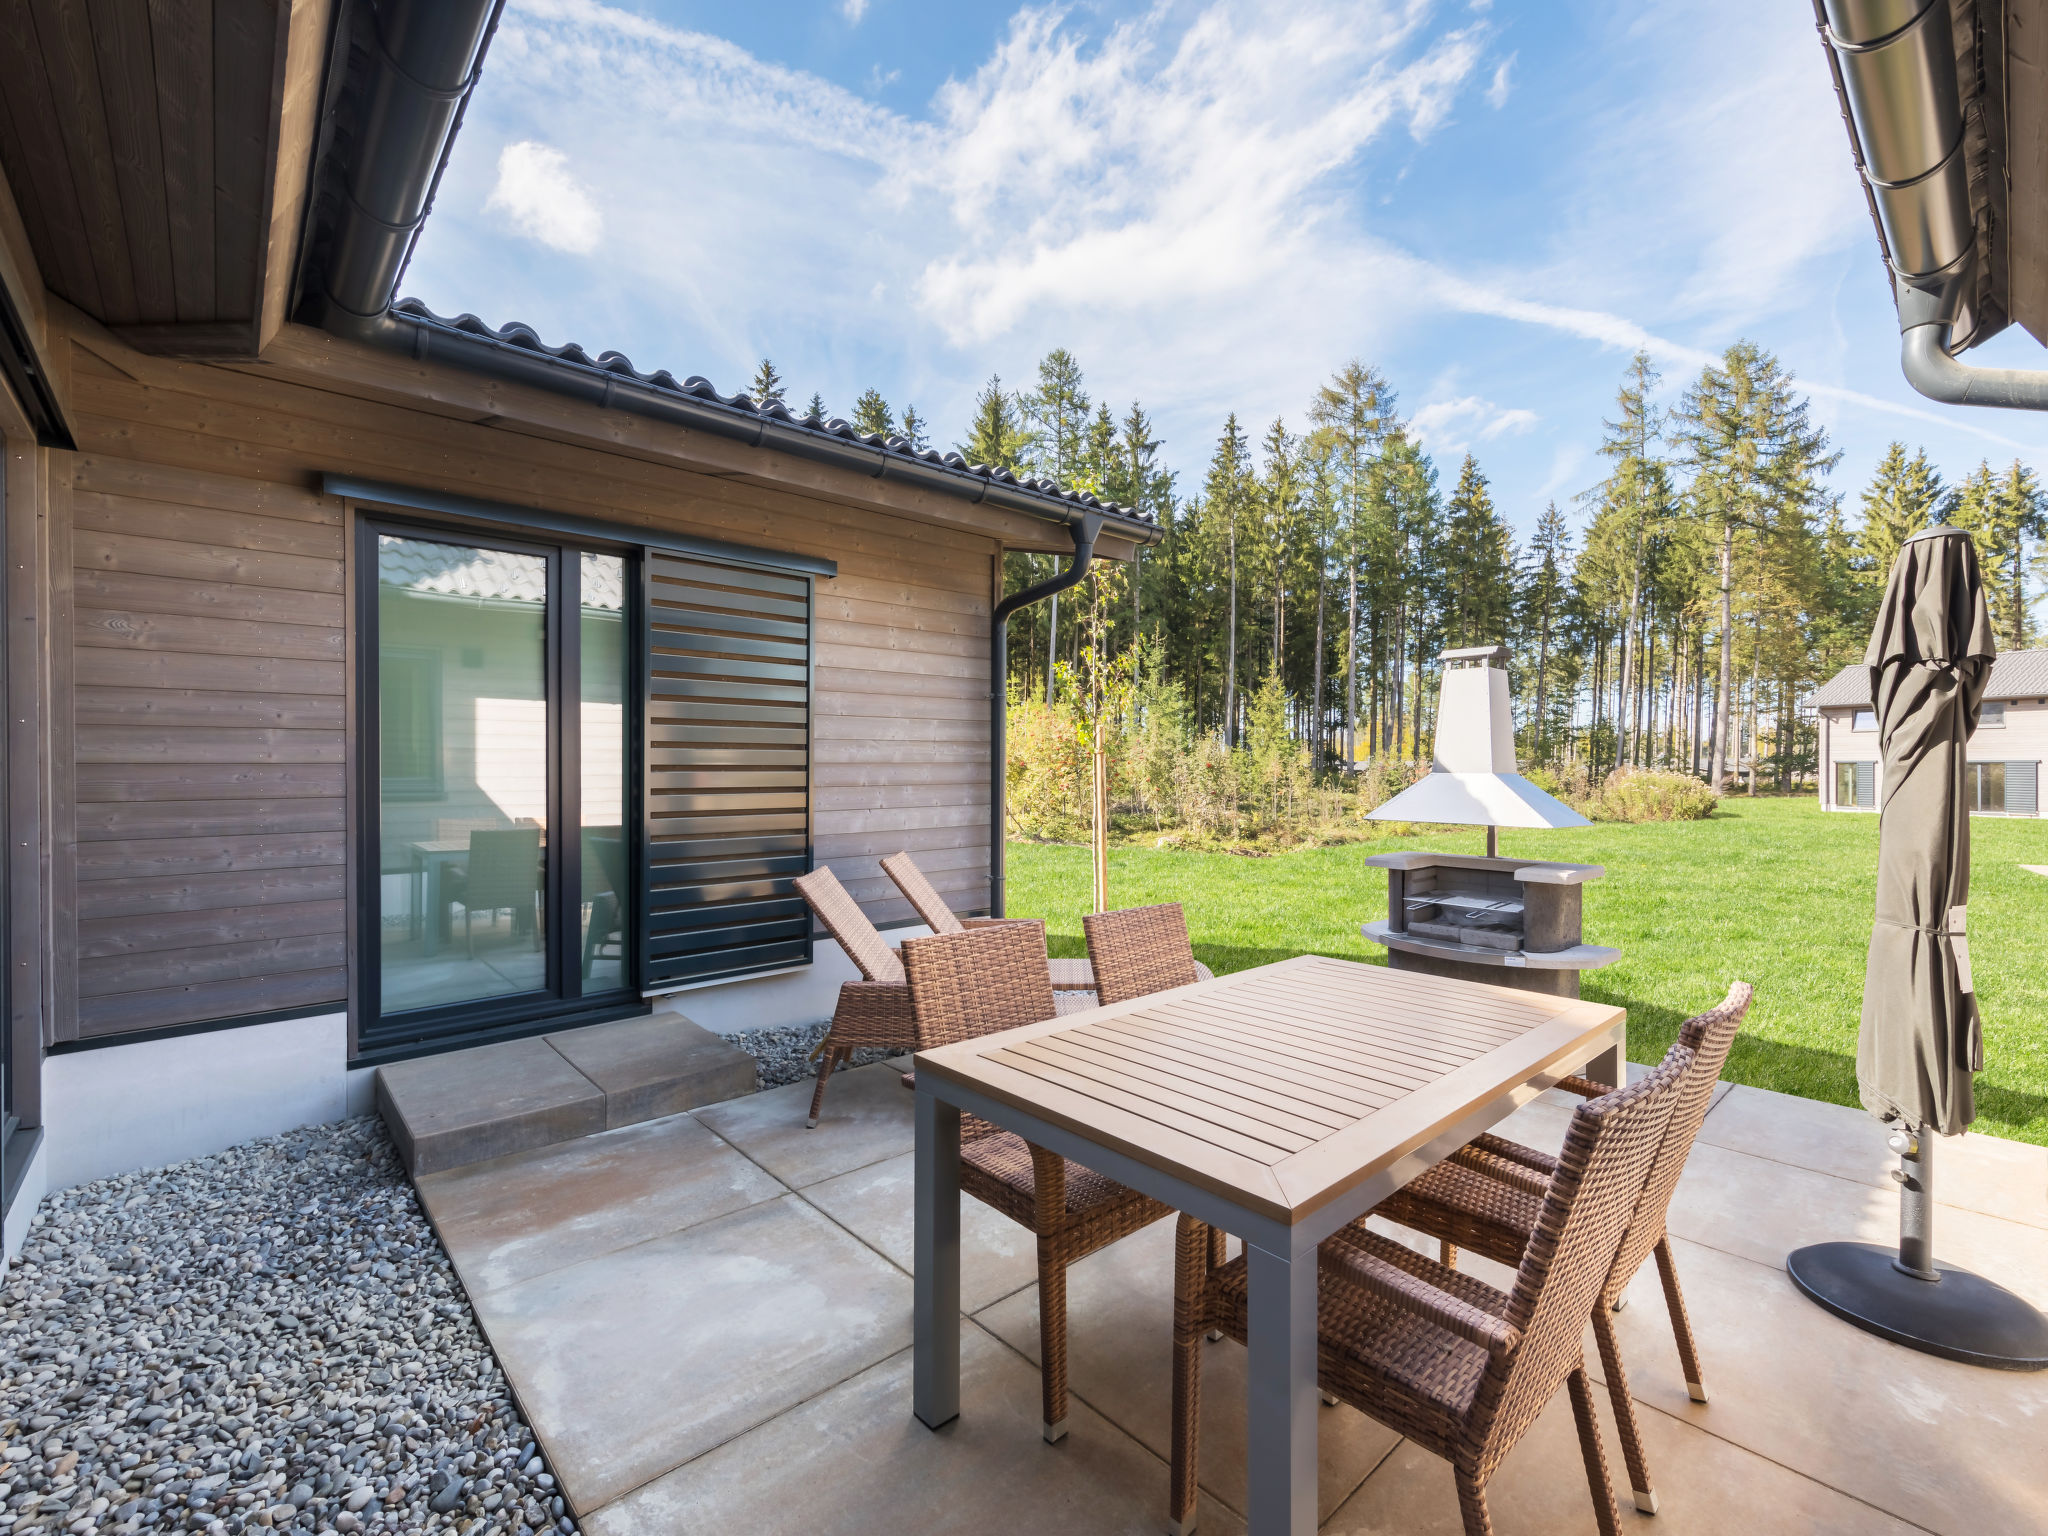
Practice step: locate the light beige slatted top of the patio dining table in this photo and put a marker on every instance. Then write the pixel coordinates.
(1285, 1086)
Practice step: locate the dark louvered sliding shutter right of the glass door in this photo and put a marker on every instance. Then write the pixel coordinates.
(728, 769)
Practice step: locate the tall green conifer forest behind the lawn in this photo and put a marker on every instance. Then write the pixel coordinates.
(1674, 615)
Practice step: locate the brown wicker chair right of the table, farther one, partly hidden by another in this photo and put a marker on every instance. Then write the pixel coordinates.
(1490, 1197)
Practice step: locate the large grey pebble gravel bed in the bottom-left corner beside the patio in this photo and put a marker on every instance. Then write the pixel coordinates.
(265, 1338)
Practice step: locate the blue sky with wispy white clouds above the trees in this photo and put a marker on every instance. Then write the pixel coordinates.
(1211, 204)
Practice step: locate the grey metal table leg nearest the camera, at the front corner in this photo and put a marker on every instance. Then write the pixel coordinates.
(1281, 1396)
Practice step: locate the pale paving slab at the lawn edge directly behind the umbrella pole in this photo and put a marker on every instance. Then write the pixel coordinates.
(2002, 1179)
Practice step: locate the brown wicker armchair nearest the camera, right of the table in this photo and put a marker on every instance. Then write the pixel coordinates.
(1441, 1357)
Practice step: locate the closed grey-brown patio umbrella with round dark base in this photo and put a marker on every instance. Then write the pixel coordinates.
(1922, 1039)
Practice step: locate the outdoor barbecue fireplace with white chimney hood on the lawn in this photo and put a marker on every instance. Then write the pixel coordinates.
(1484, 919)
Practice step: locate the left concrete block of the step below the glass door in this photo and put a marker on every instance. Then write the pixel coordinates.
(466, 1107)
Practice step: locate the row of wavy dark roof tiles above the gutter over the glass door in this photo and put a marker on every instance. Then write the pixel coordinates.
(617, 366)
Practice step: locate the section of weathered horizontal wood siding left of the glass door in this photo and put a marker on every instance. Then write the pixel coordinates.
(208, 746)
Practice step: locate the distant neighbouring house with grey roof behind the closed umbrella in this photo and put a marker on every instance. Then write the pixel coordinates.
(2006, 755)
